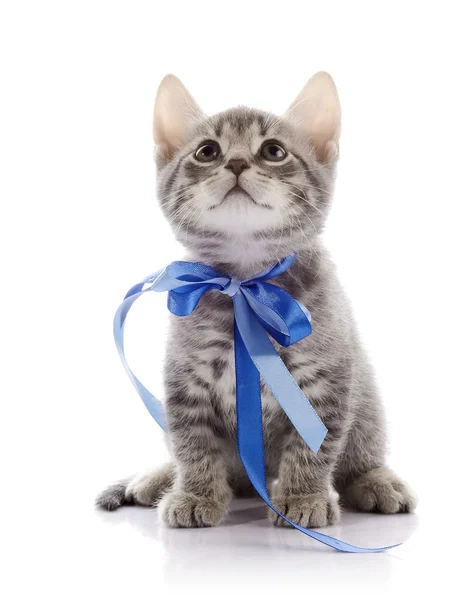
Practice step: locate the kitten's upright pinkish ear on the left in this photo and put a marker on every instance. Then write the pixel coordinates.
(174, 111)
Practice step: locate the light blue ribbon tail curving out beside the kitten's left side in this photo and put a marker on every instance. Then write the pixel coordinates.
(153, 405)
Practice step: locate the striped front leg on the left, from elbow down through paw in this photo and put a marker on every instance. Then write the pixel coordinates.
(201, 492)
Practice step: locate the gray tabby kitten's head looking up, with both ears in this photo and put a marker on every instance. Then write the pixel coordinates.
(245, 185)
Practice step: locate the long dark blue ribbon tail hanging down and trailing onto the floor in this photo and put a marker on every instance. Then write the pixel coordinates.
(250, 440)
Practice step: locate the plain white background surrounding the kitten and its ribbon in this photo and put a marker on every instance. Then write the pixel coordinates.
(80, 225)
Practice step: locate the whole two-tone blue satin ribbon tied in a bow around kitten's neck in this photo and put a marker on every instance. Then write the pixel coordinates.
(259, 307)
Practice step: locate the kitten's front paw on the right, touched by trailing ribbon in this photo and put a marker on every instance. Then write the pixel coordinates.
(312, 510)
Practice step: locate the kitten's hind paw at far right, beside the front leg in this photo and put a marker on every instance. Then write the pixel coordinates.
(380, 490)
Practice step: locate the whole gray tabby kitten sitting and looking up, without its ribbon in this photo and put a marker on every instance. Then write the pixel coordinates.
(243, 189)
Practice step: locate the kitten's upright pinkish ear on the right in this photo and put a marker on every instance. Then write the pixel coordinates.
(317, 110)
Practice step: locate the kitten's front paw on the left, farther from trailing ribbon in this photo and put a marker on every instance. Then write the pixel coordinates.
(182, 509)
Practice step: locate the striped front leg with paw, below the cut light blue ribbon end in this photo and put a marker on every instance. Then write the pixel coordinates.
(304, 489)
